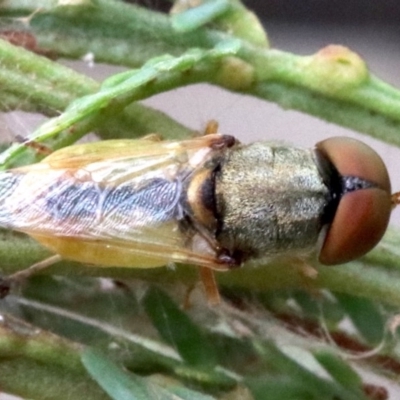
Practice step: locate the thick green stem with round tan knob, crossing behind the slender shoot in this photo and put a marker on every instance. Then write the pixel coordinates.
(313, 84)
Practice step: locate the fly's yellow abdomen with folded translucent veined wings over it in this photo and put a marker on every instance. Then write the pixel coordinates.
(110, 203)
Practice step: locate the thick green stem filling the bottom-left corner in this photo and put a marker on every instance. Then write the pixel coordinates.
(36, 364)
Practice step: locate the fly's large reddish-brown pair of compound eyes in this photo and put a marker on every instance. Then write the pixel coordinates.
(364, 204)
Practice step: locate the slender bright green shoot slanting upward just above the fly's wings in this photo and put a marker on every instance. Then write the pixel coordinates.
(119, 91)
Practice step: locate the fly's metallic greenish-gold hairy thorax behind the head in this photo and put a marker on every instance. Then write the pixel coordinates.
(270, 200)
